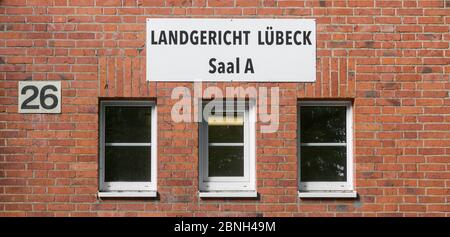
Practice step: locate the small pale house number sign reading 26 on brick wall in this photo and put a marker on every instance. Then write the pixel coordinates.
(39, 97)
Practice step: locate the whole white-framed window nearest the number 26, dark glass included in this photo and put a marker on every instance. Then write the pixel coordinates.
(127, 148)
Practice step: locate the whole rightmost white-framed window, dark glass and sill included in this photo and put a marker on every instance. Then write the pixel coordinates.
(325, 147)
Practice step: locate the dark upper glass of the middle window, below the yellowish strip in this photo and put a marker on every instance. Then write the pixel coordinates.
(227, 134)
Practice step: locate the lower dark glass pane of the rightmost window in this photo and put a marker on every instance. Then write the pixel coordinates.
(320, 163)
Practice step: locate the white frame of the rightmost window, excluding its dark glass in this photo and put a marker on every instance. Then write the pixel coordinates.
(328, 186)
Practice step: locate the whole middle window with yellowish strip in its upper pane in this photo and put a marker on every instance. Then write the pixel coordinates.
(227, 150)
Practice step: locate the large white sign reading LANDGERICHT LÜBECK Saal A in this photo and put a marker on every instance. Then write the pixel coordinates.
(278, 50)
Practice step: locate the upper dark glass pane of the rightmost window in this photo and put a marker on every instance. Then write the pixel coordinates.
(323, 124)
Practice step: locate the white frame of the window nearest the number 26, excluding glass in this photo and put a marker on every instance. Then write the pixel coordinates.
(128, 188)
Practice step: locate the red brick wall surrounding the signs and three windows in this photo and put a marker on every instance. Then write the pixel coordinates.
(392, 57)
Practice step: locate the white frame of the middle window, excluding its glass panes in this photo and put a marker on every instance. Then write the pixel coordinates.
(230, 184)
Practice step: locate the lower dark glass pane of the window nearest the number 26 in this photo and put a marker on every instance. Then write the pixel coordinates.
(124, 163)
